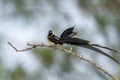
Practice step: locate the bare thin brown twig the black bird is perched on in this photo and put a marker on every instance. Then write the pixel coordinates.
(32, 46)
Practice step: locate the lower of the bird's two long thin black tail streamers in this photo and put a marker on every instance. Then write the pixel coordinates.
(99, 51)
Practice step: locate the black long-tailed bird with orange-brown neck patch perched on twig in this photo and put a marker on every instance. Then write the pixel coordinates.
(67, 37)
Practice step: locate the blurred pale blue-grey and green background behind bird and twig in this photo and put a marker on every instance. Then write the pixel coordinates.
(23, 21)
